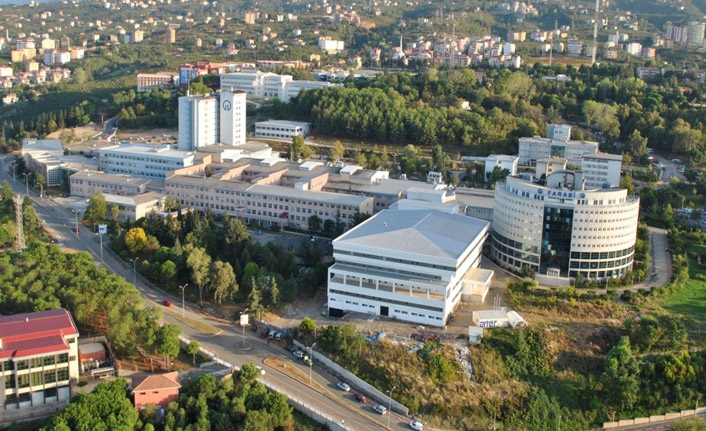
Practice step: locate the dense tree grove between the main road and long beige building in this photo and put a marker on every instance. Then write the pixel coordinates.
(218, 259)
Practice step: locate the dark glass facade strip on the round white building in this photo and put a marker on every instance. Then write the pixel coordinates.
(556, 239)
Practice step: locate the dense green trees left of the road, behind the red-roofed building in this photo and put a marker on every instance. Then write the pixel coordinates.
(44, 278)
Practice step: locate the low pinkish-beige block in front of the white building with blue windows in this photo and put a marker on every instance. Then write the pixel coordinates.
(83, 183)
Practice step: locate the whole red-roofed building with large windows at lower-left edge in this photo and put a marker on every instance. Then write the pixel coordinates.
(38, 358)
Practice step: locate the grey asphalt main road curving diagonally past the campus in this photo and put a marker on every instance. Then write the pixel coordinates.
(340, 406)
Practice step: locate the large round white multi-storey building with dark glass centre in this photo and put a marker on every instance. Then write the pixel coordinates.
(561, 230)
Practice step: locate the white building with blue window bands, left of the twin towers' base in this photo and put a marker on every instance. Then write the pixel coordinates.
(144, 161)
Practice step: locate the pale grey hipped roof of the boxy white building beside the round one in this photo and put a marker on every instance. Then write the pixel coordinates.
(424, 232)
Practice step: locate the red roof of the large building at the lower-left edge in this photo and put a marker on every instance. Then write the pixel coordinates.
(29, 334)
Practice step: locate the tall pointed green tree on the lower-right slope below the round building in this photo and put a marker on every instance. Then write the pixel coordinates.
(621, 381)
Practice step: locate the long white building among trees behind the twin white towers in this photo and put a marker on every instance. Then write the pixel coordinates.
(270, 85)
